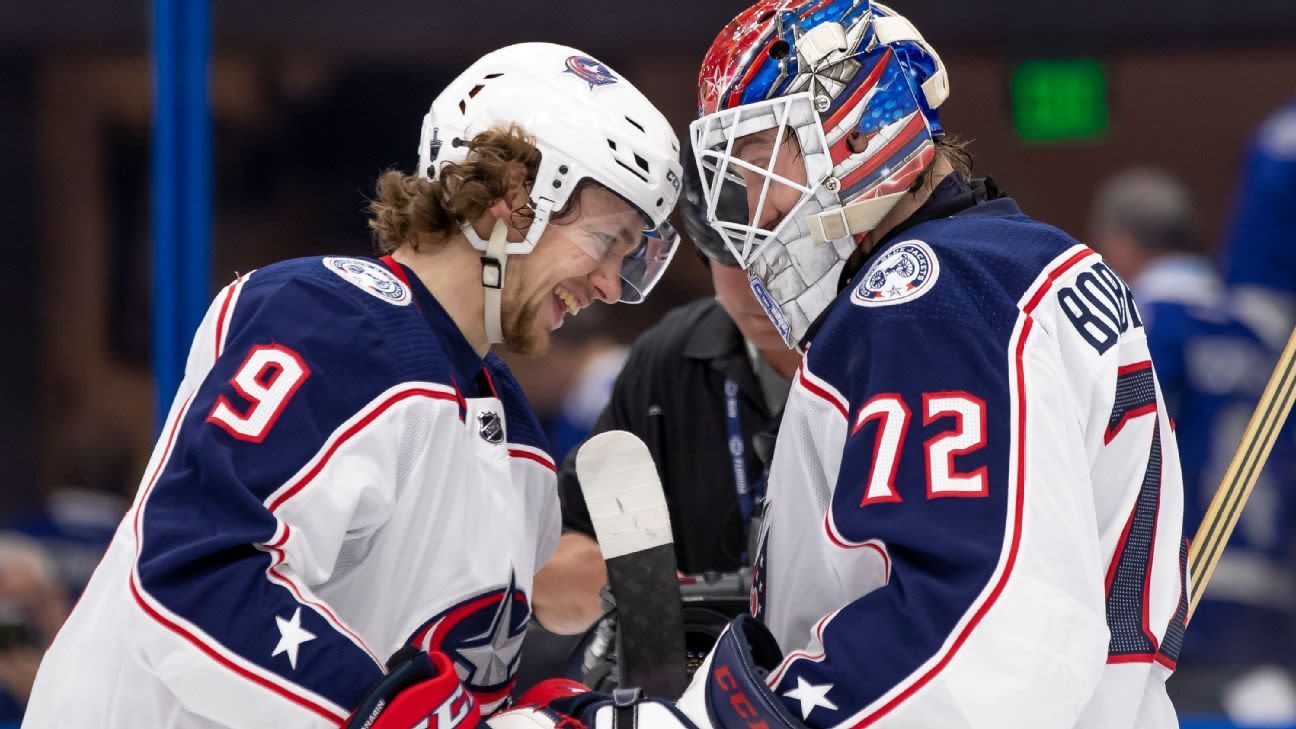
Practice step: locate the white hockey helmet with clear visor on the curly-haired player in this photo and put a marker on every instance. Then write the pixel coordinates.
(589, 124)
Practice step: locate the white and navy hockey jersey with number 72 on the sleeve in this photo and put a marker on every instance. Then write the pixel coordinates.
(975, 505)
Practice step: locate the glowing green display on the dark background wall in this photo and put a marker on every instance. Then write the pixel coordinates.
(1059, 101)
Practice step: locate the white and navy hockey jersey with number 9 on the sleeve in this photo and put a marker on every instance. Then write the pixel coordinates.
(340, 475)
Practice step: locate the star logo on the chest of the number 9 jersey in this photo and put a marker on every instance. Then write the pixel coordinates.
(483, 636)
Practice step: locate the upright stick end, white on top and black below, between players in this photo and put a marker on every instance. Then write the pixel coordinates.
(629, 513)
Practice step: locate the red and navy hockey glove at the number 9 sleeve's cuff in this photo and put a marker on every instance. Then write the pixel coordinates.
(422, 691)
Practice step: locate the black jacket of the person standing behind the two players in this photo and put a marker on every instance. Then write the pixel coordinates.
(672, 395)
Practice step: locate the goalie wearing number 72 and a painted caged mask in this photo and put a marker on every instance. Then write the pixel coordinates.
(974, 513)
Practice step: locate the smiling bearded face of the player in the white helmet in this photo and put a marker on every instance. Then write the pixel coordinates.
(576, 263)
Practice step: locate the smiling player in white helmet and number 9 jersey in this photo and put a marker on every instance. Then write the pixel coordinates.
(347, 473)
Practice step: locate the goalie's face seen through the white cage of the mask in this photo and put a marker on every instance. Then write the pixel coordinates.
(760, 151)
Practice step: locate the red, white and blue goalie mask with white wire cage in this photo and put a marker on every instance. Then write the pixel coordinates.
(813, 72)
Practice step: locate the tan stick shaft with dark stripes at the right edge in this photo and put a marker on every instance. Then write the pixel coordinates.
(1259, 439)
